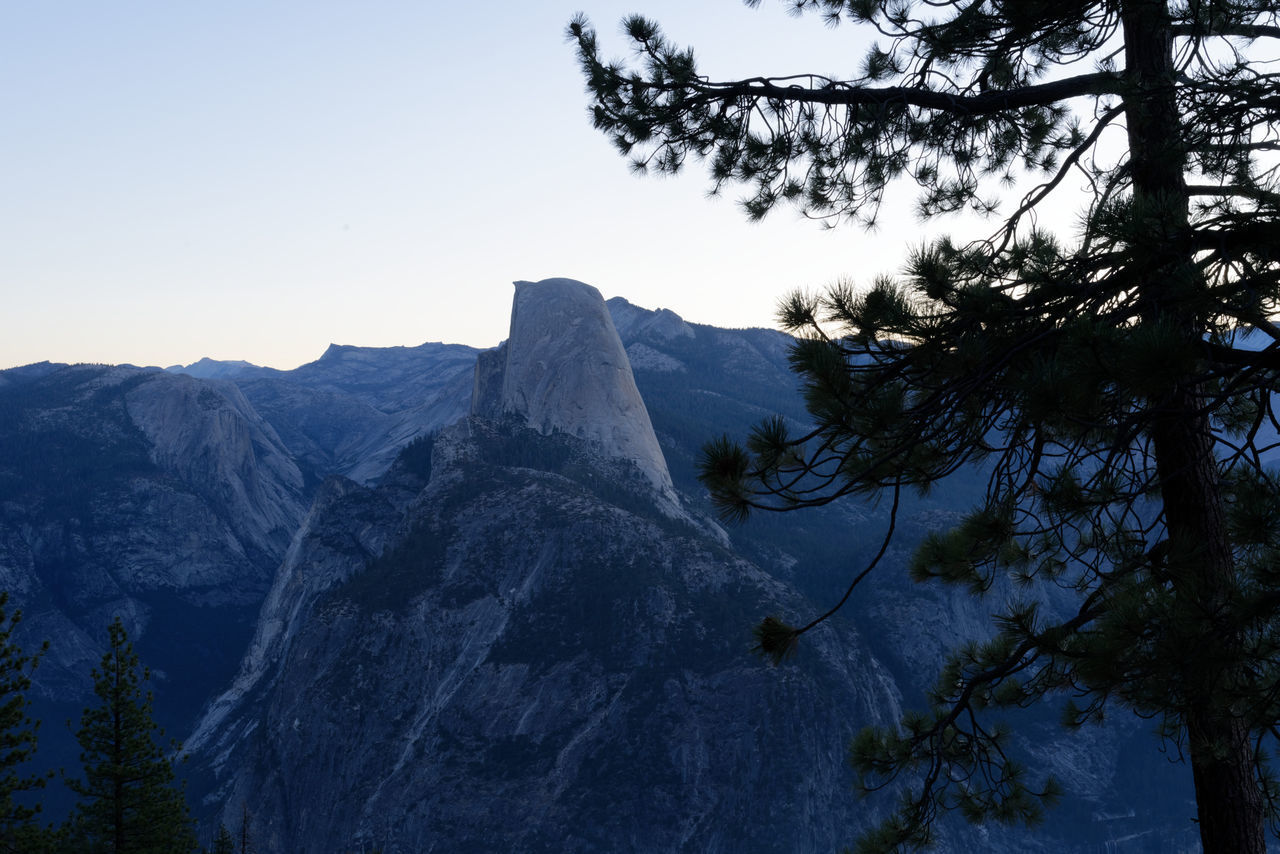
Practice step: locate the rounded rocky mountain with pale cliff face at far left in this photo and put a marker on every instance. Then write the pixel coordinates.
(161, 499)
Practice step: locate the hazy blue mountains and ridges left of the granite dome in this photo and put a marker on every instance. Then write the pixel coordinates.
(170, 499)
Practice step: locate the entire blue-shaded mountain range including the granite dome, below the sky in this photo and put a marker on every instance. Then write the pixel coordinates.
(437, 599)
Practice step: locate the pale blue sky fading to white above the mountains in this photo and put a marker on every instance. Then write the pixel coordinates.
(258, 180)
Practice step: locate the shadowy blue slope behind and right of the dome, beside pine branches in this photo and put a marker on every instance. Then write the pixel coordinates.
(1124, 791)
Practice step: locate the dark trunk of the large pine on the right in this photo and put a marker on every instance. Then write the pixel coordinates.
(1201, 564)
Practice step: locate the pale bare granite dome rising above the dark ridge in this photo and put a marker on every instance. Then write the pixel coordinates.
(564, 369)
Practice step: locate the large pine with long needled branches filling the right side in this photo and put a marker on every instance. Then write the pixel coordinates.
(1114, 390)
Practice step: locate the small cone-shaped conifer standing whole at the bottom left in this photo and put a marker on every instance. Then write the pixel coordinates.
(130, 803)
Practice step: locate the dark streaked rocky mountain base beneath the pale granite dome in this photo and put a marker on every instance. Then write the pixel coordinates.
(538, 661)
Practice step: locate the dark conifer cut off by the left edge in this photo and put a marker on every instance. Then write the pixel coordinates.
(19, 830)
